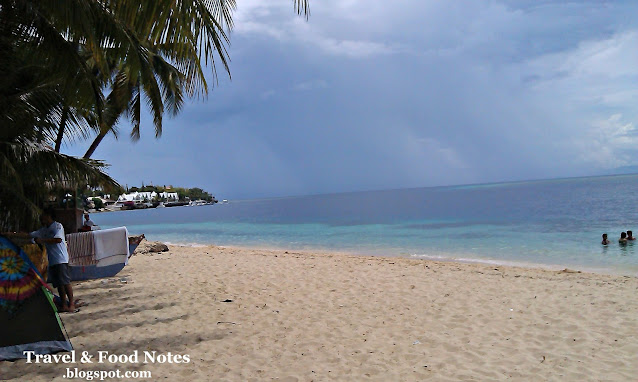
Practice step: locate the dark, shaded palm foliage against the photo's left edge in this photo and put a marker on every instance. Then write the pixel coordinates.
(33, 89)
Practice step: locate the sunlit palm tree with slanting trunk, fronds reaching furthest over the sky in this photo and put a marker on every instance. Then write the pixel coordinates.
(175, 38)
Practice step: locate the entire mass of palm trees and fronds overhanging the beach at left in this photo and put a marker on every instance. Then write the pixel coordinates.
(74, 69)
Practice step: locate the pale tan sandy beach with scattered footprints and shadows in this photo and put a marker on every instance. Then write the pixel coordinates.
(262, 315)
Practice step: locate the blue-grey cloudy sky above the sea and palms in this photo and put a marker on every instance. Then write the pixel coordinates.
(370, 95)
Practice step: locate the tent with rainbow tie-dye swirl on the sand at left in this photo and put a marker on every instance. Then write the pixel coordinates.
(28, 317)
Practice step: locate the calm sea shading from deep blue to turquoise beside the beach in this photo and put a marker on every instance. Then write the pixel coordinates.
(552, 222)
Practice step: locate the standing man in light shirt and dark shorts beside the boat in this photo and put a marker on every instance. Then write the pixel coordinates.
(52, 236)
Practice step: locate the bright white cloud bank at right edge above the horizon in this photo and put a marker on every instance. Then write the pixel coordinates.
(589, 95)
